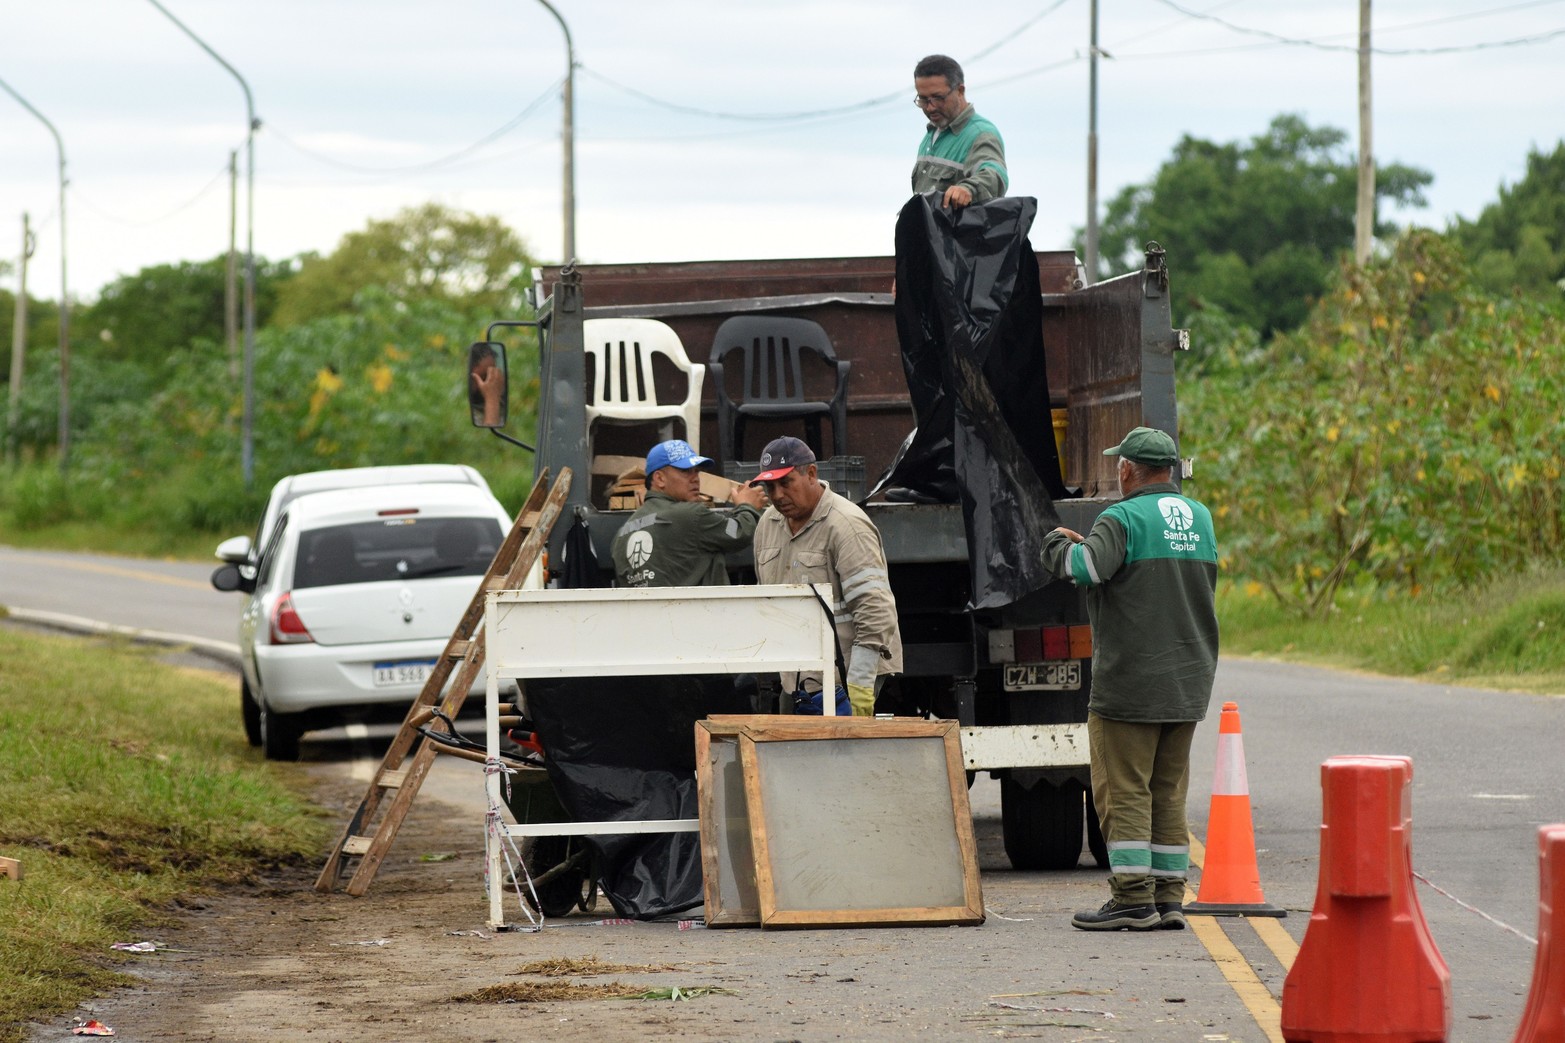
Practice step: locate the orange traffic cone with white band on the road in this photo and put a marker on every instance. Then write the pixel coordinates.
(1231, 882)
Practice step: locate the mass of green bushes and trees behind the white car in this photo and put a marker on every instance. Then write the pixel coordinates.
(156, 431)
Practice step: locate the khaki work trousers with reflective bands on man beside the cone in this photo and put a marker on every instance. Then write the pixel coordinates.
(1140, 779)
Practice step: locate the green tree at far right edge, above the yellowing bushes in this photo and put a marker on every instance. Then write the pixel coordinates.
(1519, 242)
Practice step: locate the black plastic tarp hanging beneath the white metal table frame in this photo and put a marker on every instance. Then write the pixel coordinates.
(624, 748)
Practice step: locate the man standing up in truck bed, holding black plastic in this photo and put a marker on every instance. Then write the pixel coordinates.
(962, 154)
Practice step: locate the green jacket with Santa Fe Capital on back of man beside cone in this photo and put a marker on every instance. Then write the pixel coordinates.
(1151, 572)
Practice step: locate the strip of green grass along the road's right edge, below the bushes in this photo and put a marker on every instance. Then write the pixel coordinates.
(1509, 635)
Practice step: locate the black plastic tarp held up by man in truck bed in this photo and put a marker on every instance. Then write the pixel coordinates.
(970, 317)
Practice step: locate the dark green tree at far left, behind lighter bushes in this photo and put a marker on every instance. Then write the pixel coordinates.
(168, 308)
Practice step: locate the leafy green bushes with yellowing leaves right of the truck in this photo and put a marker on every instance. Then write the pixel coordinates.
(1409, 438)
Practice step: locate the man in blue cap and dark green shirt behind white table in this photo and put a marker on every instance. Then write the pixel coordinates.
(674, 540)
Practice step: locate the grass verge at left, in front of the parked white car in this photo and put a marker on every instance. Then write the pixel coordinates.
(124, 789)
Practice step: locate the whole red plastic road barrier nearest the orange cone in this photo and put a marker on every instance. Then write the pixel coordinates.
(1369, 967)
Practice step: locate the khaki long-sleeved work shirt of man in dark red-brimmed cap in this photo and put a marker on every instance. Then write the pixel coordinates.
(843, 547)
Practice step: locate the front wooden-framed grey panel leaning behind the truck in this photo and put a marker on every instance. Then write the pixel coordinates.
(860, 821)
